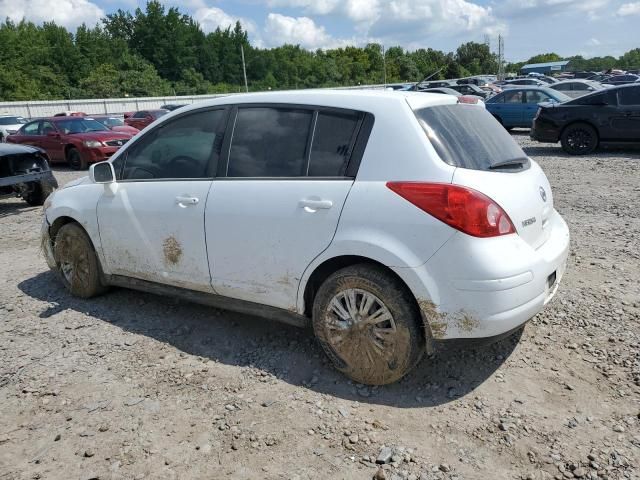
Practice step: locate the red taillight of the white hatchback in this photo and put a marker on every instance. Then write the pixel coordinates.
(459, 207)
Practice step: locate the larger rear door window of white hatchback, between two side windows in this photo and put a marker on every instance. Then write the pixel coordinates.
(269, 142)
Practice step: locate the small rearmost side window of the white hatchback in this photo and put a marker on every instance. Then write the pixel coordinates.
(332, 141)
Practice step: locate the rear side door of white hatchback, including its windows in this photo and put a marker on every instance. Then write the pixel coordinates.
(276, 203)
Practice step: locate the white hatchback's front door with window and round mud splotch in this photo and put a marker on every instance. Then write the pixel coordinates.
(152, 220)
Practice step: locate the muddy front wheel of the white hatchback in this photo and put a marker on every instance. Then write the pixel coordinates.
(76, 261)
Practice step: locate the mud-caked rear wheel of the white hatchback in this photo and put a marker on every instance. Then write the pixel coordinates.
(370, 353)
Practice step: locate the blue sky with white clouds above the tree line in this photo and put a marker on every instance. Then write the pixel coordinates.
(567, 27)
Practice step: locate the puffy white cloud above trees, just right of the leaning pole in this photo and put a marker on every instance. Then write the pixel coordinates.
(280, 29)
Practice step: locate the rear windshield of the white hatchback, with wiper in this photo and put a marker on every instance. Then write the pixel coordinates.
(467, 136)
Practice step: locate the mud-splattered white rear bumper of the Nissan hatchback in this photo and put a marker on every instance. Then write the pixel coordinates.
(477, 288)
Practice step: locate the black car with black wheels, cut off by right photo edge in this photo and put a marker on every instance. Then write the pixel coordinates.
(583, 124)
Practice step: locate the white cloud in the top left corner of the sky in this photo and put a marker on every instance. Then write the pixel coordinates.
(68, 13)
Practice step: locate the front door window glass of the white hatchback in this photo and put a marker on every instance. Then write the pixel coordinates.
(187, 147)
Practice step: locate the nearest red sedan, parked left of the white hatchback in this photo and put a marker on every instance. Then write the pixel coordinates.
(78, 141)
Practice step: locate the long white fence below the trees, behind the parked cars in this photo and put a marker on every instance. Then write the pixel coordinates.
(107, 105)
